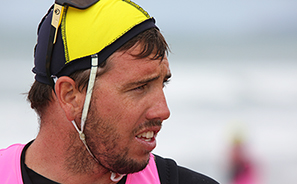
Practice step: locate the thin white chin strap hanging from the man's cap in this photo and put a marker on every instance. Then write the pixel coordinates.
(114, 176)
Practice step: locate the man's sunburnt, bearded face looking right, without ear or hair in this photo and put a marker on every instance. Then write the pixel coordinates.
(127, 109)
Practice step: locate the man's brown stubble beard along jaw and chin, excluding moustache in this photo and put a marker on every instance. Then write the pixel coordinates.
(103, 141)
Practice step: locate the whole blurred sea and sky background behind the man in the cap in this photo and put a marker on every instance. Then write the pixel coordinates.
(233, 94)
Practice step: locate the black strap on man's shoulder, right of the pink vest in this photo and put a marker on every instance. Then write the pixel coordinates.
(167, 170)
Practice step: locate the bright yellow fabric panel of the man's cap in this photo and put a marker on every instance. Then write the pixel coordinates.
(87, 32)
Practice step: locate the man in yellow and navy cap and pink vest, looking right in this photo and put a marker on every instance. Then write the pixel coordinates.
(100, 68)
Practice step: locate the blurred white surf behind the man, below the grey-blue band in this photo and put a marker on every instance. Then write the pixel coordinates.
(210, 102)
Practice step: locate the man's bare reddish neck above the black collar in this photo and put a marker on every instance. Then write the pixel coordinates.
(64, 159)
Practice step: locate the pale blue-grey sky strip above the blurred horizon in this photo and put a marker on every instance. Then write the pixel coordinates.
(187, 15)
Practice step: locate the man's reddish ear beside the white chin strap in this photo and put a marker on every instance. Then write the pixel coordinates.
(70, 98)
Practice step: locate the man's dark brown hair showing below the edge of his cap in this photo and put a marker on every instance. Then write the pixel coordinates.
(151, 41)
